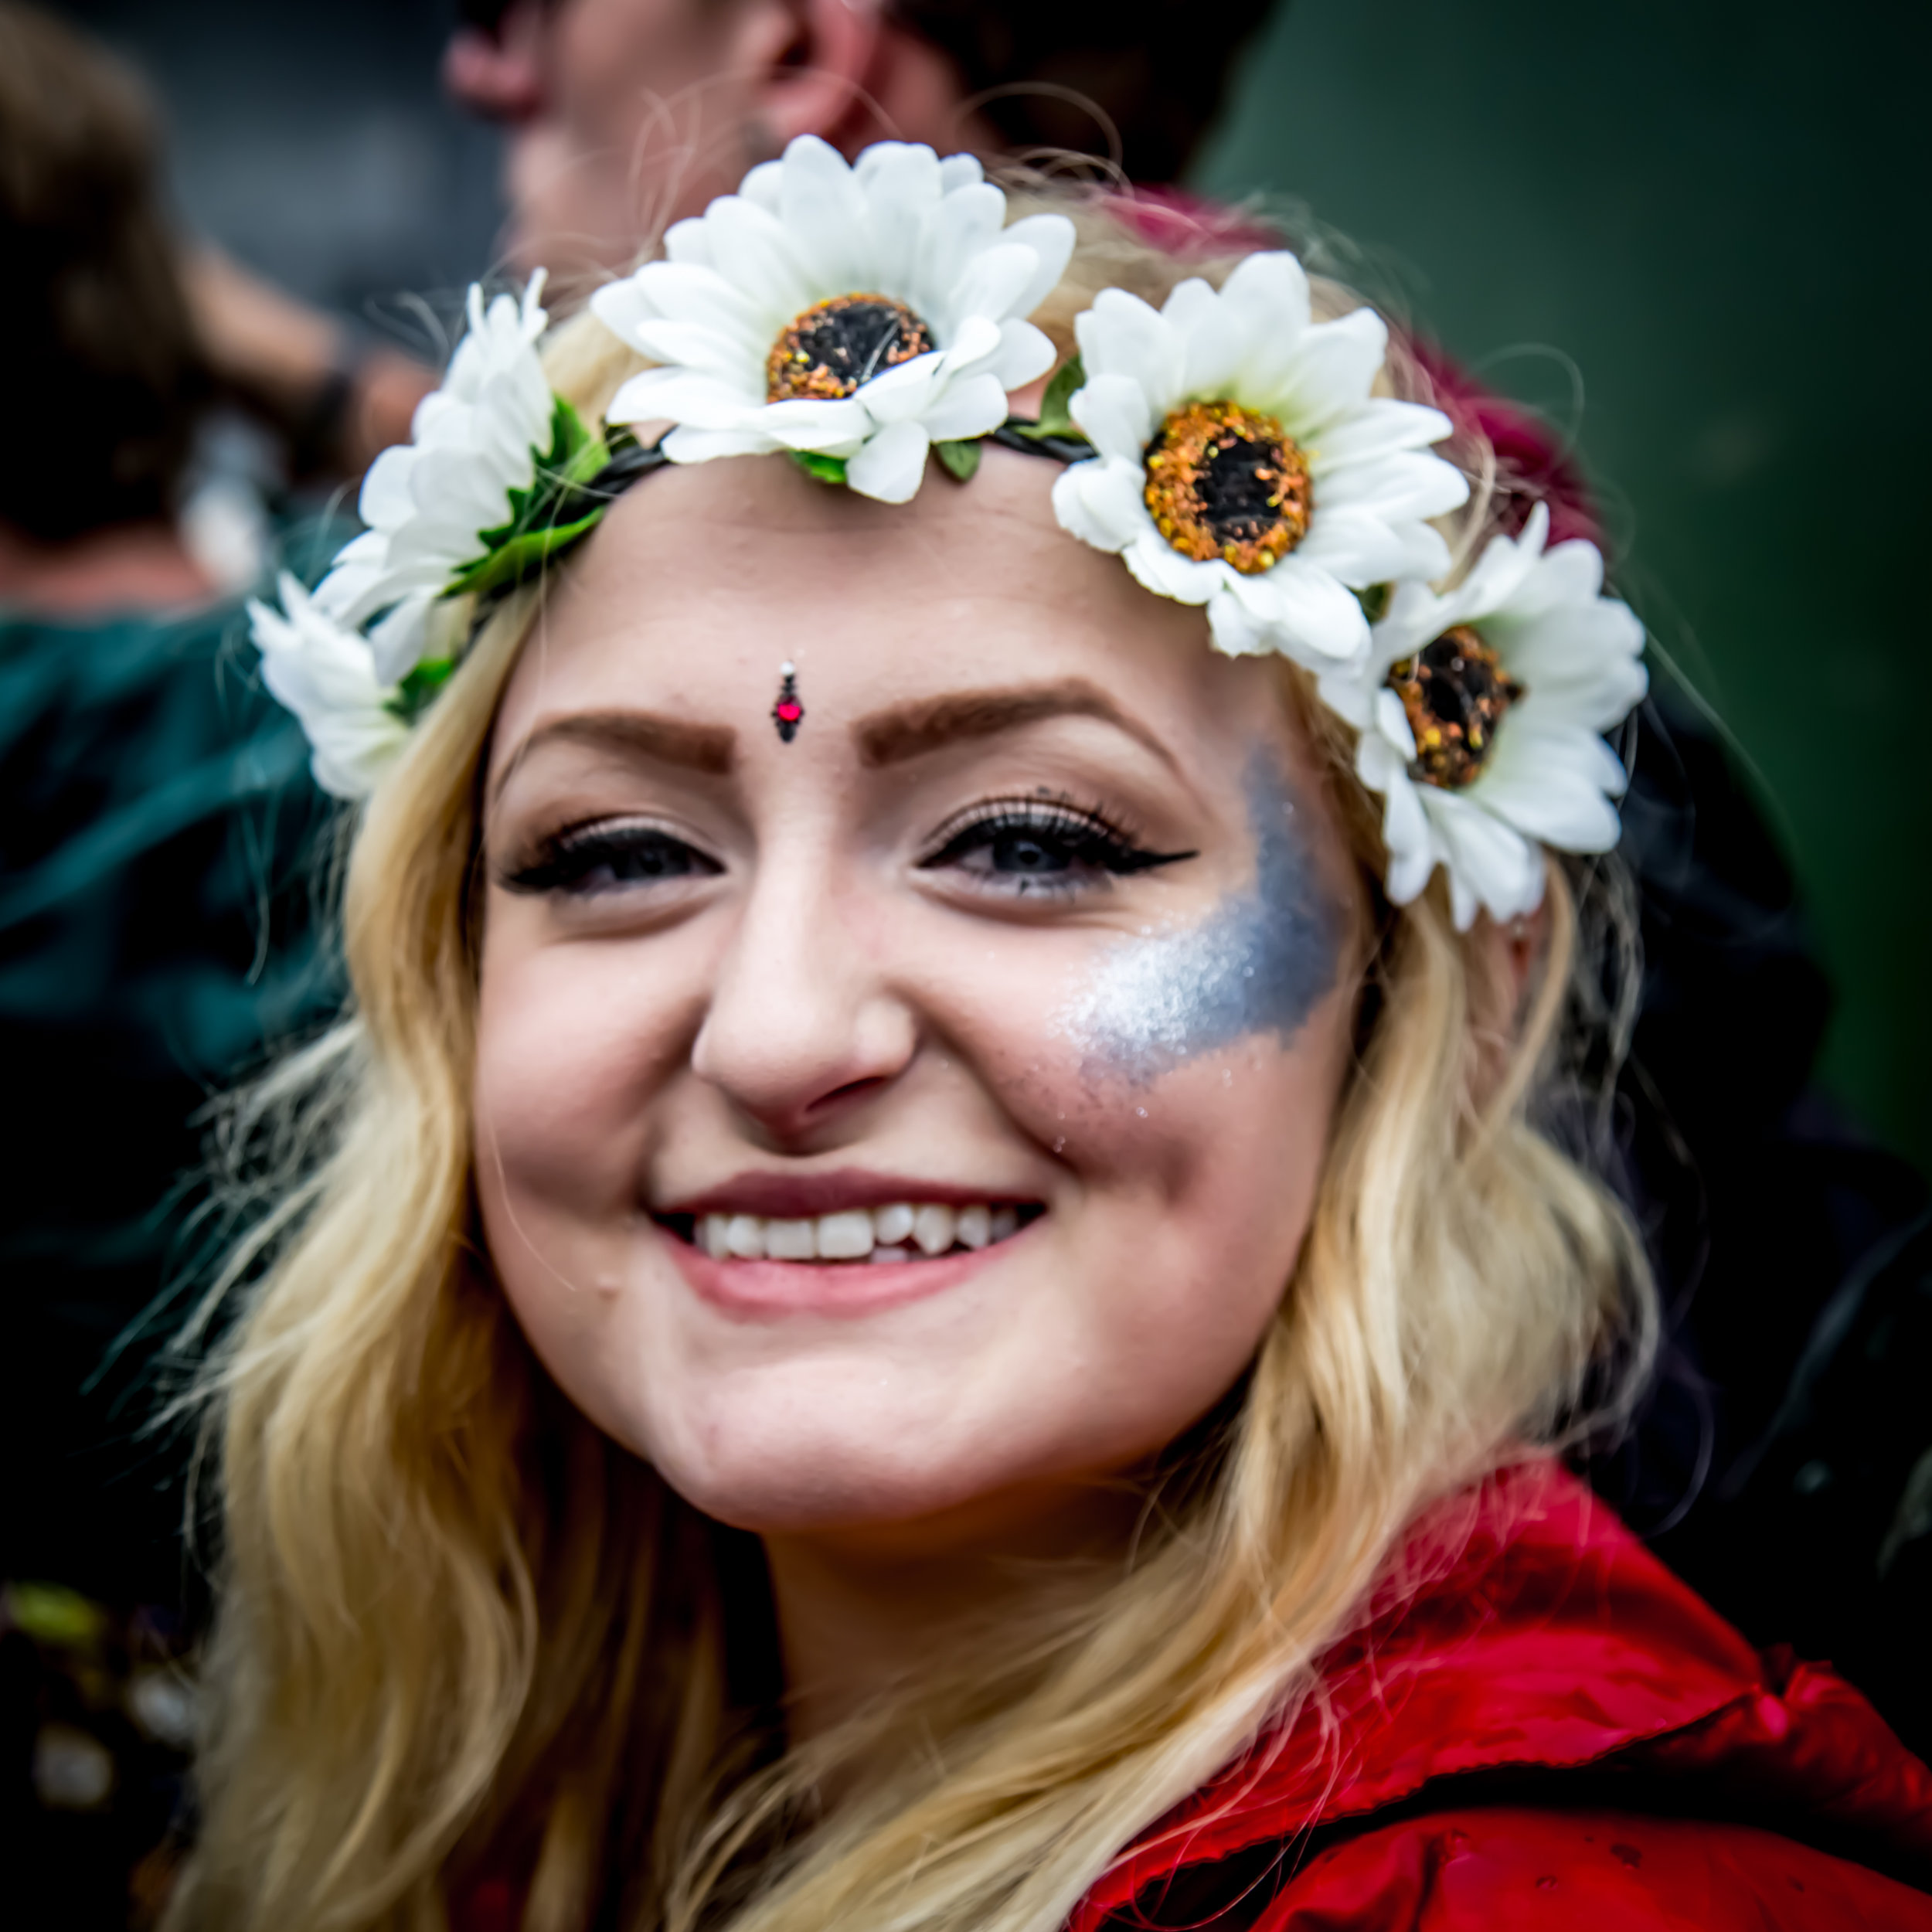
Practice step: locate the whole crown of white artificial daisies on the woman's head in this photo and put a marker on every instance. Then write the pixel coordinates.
(1228, 445)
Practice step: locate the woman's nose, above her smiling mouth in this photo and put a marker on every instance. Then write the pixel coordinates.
(801, 1025)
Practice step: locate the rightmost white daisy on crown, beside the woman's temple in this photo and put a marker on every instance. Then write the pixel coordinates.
(1483, 716)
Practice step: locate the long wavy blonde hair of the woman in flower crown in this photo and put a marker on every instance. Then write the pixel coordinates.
(461, 1626)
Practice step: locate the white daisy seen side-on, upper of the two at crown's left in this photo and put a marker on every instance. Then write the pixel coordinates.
(474, 449)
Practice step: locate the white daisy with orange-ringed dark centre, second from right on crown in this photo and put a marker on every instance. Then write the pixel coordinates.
(1243, 463)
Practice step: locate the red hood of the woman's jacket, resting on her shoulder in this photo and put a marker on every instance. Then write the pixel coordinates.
(1552, 1641)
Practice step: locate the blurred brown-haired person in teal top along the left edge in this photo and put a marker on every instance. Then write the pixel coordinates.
(150, 807)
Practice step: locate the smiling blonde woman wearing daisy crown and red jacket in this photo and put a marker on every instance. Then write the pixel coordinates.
(957, 1319)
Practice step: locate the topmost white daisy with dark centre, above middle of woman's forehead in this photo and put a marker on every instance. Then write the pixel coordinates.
(855, 314)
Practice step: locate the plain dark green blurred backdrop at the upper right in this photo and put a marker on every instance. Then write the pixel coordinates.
(1719, 213)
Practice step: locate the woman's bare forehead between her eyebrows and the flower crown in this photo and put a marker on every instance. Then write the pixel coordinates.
(725, 573)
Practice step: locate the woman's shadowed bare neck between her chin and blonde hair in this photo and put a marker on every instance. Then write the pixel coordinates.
(865, 1612)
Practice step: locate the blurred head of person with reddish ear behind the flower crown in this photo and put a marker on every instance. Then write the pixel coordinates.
(629, 115)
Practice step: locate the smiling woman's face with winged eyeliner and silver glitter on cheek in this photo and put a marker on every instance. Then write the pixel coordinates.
(913, 1122)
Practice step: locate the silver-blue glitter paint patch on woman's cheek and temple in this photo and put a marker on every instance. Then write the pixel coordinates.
(1257, 965)
